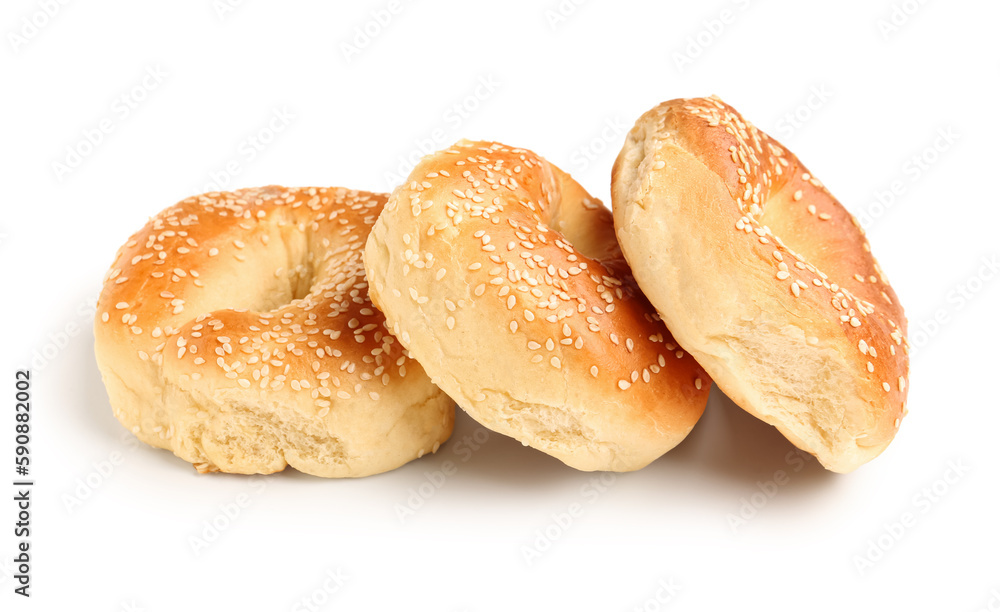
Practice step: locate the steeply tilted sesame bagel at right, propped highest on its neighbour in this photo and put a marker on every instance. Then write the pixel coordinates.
(764, 277)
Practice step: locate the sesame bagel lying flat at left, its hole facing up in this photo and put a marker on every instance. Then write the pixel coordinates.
(235, 329)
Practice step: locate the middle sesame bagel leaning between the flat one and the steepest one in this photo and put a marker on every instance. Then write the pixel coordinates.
(503, 278)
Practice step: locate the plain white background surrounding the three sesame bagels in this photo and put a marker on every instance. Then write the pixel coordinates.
(869, 97)
